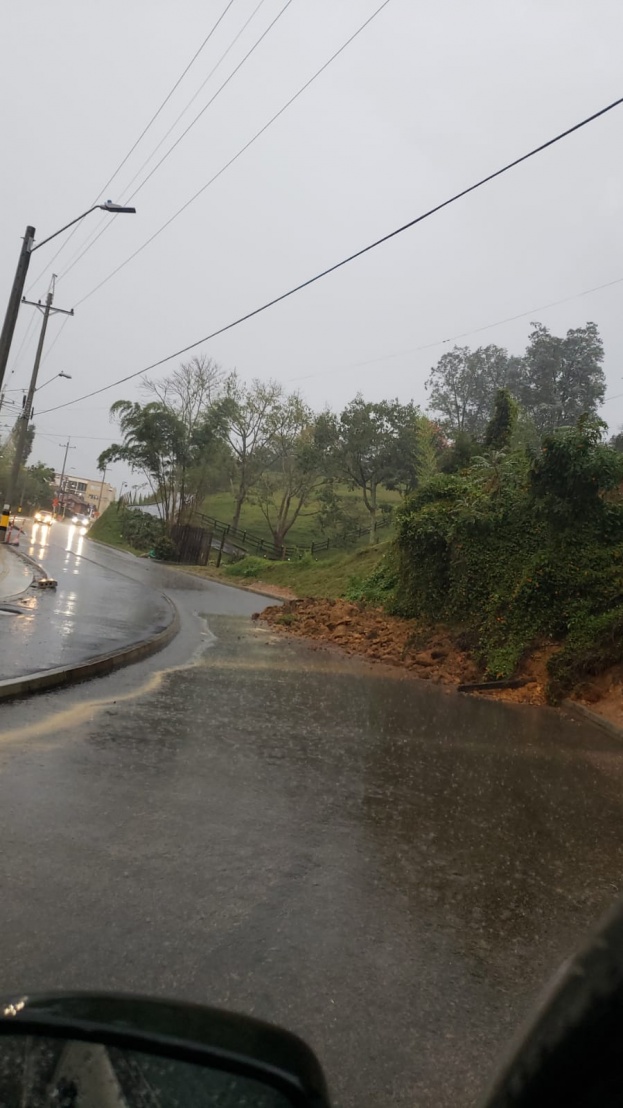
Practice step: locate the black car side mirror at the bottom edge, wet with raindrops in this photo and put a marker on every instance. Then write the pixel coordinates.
(131, 1052)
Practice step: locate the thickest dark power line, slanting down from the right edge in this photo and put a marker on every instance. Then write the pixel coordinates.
(352, 258)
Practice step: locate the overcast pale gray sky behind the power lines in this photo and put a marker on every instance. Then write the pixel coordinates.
(431, 97)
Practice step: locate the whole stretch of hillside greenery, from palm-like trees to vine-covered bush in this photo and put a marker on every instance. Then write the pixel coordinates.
(509, 517)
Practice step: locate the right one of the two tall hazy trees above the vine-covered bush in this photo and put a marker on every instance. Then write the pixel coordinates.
(560, 378)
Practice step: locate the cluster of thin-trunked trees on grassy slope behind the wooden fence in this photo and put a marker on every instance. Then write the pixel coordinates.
(262, 460)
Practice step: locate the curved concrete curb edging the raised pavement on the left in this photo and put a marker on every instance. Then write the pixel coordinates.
(95, 668)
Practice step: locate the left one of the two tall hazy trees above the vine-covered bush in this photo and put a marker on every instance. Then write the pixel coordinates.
(464, 386)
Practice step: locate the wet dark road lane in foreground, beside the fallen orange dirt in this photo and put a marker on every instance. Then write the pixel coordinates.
(391, 871)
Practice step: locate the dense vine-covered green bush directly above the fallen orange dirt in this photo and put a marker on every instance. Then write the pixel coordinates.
(518, 550)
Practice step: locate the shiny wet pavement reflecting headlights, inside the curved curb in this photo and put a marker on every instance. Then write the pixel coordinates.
(96, 609)
